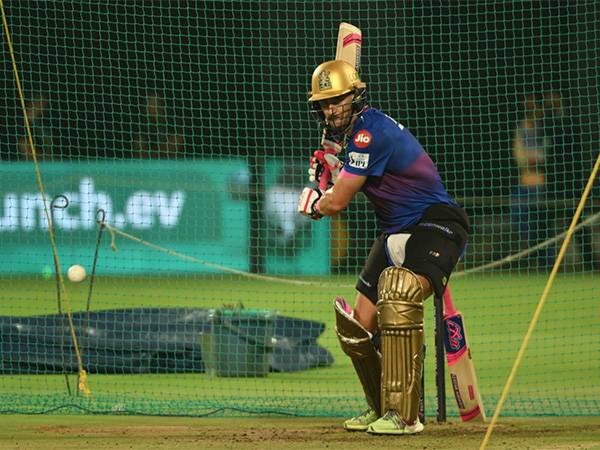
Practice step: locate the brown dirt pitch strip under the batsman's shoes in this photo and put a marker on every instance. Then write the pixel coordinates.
(127, 432)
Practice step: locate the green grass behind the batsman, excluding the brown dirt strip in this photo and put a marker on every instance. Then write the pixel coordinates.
(559, 374)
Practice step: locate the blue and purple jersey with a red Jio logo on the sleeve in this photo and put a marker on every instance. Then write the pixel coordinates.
(402, 180)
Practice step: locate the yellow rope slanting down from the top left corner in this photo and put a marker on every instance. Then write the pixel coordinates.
(82, 385)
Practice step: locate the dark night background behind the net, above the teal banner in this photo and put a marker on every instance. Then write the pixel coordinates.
(235, 76)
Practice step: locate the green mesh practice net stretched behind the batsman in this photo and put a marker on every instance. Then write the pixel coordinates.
(187, 123)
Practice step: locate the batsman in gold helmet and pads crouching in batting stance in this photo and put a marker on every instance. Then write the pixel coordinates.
(423, 234)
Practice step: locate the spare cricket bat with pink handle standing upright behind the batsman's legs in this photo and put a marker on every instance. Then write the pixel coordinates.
(460, 364)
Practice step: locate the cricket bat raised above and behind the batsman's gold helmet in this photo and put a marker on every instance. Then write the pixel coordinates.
(348, 49)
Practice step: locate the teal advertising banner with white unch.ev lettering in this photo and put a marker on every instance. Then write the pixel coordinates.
(169, 208)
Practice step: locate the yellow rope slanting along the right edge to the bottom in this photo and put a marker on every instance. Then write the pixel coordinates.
(538, 310)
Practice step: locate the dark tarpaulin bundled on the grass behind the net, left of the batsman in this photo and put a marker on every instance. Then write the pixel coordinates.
(157, 340)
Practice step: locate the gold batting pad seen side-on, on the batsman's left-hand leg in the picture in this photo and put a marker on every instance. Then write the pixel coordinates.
(356, 343)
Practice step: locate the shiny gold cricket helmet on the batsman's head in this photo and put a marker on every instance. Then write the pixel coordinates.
(333, 78)
